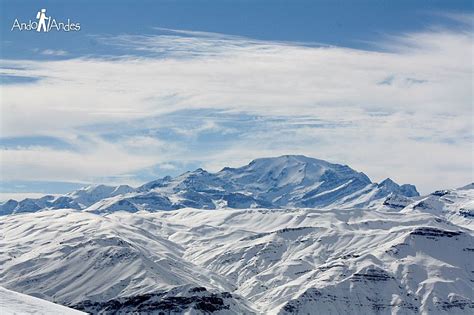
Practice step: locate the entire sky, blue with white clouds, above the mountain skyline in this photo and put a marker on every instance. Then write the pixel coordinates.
(152, 88)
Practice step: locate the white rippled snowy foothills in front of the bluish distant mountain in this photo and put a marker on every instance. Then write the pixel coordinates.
(359, 261)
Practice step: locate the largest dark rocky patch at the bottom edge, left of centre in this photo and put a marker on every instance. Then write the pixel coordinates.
(198, 299)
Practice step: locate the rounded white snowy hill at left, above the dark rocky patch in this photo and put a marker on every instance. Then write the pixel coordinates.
(77, 257)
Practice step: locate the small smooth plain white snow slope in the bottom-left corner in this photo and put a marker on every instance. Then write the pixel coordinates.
(14, 303)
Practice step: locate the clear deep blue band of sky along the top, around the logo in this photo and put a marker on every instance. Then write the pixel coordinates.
(343, 23)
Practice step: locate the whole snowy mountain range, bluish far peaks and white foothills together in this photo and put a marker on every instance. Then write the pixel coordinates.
(312, 238)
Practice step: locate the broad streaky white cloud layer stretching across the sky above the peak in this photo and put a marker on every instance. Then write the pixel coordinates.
(416, 127)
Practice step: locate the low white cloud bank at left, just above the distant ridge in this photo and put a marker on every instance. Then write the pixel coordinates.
(93, 158)
